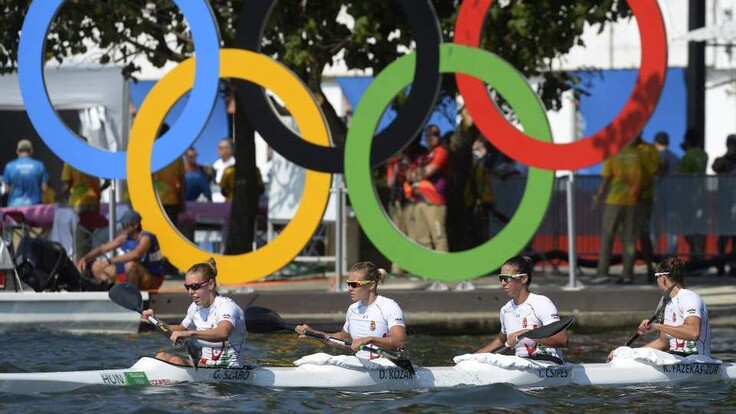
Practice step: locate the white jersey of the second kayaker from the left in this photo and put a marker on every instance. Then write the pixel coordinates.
(376, 319)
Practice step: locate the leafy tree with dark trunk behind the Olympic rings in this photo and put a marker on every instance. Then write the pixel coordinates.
(307, 36)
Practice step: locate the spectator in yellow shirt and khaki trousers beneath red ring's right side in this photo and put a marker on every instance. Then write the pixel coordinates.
(622, 176)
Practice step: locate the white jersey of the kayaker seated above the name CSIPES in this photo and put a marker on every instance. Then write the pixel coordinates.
(535, 312)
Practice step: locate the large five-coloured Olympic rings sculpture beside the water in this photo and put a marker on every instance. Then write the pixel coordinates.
(473, 68)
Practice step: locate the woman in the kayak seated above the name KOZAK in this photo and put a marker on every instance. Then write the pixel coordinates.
(373, 319)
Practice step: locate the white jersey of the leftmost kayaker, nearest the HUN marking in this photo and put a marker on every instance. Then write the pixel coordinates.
(230, 352)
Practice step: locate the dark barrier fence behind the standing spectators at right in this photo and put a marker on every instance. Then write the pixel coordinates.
(683, 205)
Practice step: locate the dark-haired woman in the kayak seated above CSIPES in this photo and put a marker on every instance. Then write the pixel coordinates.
(526, 311)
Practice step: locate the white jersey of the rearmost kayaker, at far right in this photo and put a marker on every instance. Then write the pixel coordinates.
(688, 303)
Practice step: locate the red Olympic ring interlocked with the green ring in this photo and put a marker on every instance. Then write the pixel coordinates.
(594, 148)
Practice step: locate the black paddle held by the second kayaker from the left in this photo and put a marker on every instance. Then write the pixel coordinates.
(262, 320)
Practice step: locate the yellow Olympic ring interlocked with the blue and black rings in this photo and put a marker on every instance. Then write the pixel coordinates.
(253, 67)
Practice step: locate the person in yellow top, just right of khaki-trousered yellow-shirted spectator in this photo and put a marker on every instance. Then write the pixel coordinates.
(649, 157)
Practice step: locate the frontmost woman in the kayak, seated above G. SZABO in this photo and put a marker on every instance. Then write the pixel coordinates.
(215, 321)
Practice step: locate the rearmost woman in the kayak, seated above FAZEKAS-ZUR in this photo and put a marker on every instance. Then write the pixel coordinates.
(685, 329)
